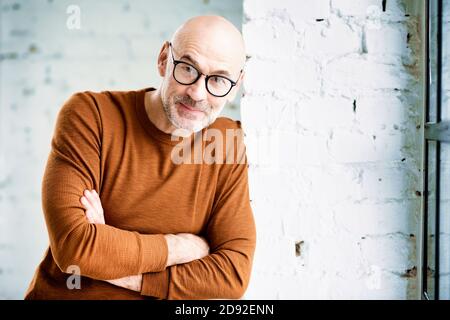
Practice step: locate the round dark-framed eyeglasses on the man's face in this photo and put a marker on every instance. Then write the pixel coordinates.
(186, 74)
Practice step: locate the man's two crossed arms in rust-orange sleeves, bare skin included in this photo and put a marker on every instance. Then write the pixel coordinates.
(74, 166)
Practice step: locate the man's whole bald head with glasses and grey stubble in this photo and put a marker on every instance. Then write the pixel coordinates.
(206, 45)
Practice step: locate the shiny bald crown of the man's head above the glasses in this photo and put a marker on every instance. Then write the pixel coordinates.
(213, 37)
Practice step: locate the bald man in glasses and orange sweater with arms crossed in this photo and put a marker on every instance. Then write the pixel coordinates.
(122, 215)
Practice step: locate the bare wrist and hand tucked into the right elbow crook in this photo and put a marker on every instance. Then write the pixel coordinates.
(185, 247)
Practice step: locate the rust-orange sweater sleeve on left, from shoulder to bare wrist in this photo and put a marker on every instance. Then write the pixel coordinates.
(100, 251)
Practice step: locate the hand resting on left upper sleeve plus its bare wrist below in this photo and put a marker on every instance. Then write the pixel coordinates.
(94, 213)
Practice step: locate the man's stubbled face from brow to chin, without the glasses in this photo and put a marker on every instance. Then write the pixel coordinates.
(192, 107)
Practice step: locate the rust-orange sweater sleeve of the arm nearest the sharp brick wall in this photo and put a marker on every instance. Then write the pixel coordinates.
(231, 234)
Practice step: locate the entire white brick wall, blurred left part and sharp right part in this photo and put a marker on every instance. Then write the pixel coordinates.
(333, 97)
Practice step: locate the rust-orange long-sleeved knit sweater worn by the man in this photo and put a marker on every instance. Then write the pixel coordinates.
(105, 141)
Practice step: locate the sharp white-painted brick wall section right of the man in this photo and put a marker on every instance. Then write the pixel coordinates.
(337, 82)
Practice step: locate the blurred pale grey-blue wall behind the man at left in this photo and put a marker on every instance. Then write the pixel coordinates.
(44, 58)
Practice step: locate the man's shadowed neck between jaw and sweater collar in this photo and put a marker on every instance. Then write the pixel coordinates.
(155, 111)
